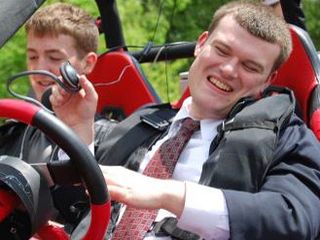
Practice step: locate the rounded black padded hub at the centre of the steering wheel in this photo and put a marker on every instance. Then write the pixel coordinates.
(32, 190)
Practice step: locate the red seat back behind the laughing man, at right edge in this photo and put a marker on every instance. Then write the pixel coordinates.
(301, 73)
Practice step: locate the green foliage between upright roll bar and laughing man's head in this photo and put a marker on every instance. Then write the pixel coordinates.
(161, 22)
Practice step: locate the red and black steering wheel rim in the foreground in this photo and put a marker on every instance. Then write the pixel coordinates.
(82, 160)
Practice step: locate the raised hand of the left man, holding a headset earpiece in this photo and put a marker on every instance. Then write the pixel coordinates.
(77, 110)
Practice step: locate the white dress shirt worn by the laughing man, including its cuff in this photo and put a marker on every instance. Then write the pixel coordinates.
(205, 212)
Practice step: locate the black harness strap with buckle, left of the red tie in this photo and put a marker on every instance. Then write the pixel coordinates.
(134, 131)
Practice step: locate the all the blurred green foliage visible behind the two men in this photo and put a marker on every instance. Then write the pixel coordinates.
(156, 21)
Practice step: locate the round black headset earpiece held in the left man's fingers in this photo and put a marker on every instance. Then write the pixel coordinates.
(70, 77)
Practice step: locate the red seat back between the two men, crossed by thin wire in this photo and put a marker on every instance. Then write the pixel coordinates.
(121, 85)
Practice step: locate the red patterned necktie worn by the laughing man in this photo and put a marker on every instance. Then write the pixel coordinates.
(136, 222)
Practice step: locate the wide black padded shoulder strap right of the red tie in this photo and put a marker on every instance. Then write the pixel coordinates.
(246, 143)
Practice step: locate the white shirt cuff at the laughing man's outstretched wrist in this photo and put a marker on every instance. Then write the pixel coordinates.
(205, 212)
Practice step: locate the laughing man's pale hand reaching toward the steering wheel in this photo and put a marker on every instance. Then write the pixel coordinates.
(137, 190)
